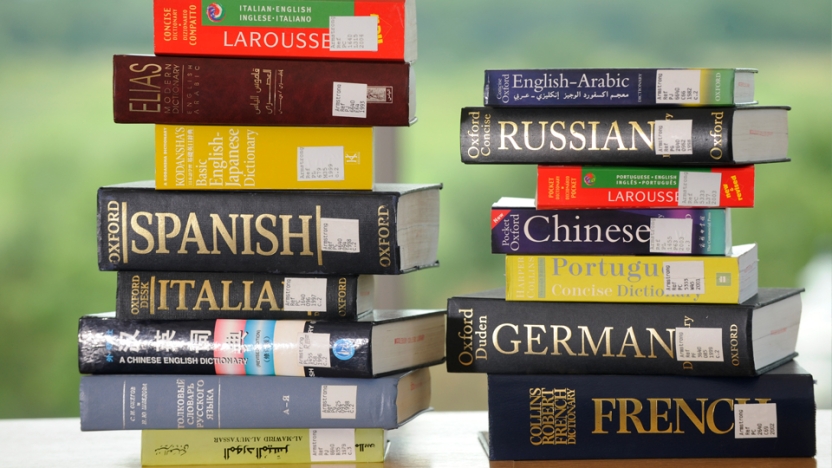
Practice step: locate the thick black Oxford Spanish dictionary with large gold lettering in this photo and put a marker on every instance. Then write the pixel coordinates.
(391, 230)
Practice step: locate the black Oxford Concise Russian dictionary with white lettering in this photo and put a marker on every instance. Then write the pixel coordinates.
(705, 136)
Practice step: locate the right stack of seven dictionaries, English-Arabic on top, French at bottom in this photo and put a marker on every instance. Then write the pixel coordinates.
(630, 327)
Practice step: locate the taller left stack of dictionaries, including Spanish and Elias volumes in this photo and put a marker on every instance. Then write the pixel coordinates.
(244, 329)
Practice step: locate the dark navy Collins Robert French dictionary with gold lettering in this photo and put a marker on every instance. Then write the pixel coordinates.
(568, 417)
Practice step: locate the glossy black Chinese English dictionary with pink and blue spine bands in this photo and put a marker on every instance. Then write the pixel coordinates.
(381, 343)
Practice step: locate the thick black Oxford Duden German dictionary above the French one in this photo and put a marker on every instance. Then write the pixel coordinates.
(488, 334)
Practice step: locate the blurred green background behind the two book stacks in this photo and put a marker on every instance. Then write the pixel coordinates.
(59, 145)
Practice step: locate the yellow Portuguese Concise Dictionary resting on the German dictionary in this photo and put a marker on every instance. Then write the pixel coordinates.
(628, 278)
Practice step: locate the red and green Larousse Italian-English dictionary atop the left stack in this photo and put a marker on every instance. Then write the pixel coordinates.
(333, 30)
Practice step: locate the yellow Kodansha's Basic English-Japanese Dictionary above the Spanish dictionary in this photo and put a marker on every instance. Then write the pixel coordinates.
(208, 157)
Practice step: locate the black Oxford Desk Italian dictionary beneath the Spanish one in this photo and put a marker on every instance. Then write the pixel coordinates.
(163, 295)
